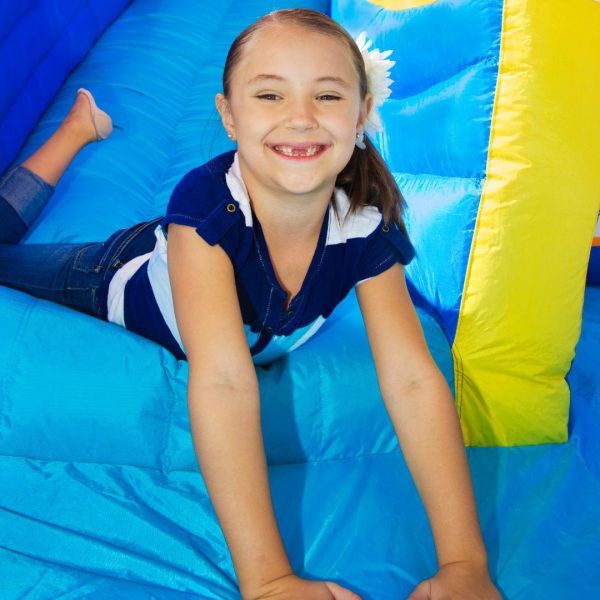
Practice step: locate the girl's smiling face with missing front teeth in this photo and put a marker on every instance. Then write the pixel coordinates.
(294, 108)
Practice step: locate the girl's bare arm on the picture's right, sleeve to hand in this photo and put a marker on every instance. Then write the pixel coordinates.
(422, 411)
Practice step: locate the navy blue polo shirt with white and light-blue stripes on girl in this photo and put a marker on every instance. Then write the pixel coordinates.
(352, 247)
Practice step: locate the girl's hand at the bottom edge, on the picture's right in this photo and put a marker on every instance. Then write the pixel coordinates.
(457, 581)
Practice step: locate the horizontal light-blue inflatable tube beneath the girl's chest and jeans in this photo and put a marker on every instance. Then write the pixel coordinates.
(139, 404)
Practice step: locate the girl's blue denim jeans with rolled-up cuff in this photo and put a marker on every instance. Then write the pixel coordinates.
(76, 275)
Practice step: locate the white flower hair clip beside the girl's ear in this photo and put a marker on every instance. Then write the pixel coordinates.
(378, 69)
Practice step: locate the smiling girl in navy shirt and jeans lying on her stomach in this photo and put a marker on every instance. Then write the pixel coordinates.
(283, 228)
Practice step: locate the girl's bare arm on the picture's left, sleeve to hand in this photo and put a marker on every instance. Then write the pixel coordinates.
(223, 402)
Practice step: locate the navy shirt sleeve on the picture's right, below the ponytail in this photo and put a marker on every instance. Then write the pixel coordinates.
(386, 246)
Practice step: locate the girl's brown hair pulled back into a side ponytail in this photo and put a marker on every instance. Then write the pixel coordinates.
(366, 178)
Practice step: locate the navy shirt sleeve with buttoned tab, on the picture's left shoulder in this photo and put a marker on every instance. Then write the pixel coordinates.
(215, 220)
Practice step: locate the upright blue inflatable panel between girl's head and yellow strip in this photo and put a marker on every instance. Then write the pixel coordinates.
(437, 129)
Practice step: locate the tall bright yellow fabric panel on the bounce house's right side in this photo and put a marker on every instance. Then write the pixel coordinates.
(521, 309)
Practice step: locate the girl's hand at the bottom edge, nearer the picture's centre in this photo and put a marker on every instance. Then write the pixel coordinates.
(294, 588)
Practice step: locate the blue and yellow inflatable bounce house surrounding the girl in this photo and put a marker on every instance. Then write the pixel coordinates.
(493, 135)
